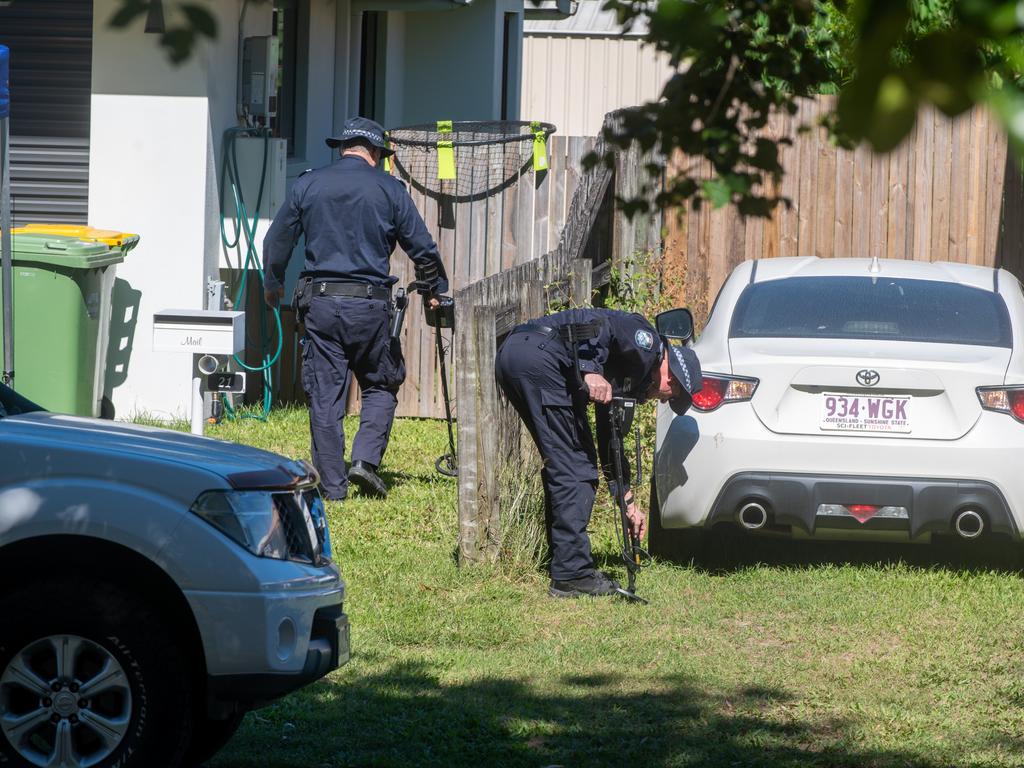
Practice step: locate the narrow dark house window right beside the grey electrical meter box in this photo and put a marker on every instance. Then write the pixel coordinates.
(291, 27)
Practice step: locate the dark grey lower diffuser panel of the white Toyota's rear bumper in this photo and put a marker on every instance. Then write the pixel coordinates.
(794, 500)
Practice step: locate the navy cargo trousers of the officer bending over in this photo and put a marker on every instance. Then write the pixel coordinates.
(536, 373)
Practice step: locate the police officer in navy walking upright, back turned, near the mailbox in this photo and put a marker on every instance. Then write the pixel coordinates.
(353, 215)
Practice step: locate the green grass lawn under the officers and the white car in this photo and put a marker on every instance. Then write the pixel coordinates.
(809, 663)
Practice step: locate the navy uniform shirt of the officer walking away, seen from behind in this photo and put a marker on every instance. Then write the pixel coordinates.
(353, 216)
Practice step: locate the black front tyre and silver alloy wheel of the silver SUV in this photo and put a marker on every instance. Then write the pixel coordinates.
(90, 676)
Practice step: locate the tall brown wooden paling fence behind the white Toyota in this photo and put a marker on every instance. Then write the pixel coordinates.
(950, 193)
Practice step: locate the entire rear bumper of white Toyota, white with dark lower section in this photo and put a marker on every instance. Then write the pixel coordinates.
(700, 458)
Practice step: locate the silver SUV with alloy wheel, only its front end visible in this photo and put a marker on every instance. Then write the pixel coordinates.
(154, 587)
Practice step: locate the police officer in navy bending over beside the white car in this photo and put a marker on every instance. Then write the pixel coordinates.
(619, 355)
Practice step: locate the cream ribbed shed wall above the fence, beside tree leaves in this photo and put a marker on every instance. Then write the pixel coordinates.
(575, 81)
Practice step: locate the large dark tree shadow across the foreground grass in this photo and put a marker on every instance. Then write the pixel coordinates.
(408, 717)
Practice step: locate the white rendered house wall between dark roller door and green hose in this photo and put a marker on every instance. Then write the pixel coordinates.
(154, 158)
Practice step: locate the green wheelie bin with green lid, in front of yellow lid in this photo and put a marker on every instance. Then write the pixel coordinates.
(62, 288)
